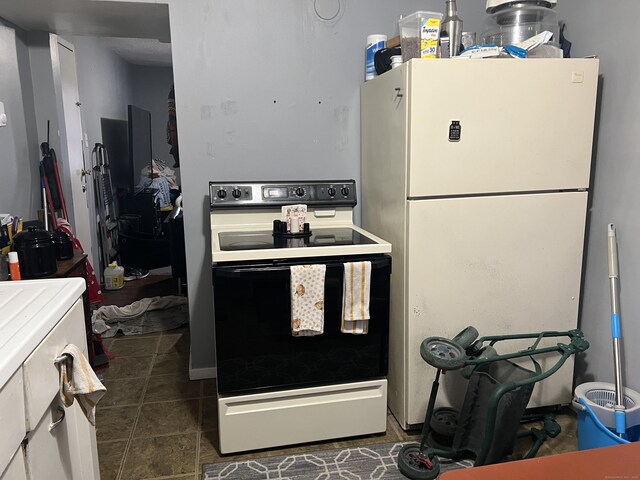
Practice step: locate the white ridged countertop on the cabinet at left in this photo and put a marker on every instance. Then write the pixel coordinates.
(29, 310)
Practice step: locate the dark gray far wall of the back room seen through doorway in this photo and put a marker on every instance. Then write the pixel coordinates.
(151, 87)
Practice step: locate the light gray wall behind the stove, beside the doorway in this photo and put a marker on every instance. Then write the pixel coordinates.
(266, 90)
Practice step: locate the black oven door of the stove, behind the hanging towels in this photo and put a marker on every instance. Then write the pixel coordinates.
(255, 350)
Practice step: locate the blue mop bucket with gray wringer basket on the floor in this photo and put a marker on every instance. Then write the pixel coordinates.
(594, 402)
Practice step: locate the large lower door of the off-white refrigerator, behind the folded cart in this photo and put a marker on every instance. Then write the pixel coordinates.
(504, 264)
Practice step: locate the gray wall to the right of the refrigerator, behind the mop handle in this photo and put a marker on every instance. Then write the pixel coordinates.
(604, 29)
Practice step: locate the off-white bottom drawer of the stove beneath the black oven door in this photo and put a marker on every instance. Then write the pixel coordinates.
(302, 415)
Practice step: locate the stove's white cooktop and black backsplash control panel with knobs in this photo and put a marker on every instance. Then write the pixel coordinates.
(242, 219)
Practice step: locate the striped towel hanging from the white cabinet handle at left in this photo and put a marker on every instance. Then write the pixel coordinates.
(79, 382)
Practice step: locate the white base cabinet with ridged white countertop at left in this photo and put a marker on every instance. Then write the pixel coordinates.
(42, 317)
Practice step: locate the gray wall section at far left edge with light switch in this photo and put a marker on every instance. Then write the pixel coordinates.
(19, 155)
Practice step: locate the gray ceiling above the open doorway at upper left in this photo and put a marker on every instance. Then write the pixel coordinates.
(138, 32)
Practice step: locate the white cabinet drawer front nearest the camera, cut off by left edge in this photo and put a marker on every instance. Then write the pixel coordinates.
(11, 418)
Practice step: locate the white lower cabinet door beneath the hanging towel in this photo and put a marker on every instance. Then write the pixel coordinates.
(52, 451)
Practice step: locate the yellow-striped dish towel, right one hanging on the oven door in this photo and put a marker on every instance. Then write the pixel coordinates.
(355, 298)
